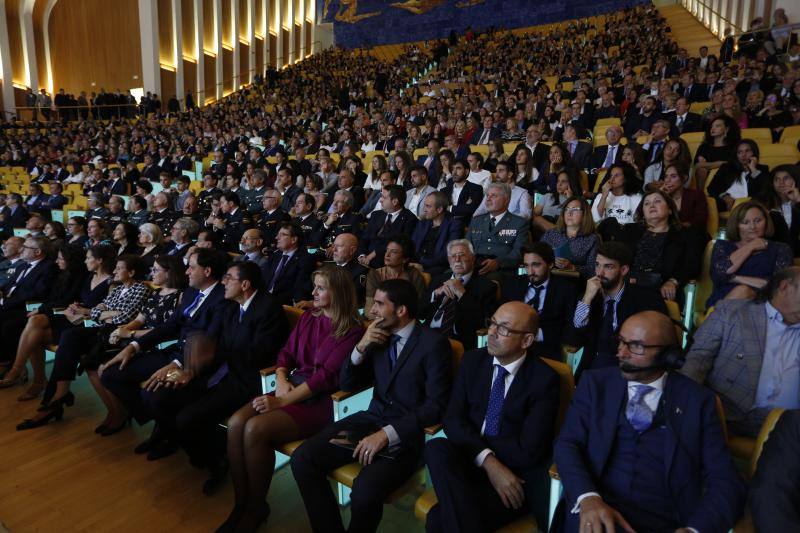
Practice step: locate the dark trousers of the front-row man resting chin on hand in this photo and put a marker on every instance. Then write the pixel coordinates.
(311, 463)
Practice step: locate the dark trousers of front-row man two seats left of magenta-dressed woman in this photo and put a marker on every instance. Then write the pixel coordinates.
(125, 384)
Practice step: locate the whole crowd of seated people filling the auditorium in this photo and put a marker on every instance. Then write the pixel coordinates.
(487, 205)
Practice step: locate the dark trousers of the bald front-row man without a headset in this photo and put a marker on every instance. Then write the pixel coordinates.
(468, 502)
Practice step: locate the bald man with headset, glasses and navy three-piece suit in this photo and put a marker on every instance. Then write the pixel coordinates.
(642, 447)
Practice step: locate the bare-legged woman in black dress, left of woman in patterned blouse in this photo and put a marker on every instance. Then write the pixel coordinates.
(61, 312)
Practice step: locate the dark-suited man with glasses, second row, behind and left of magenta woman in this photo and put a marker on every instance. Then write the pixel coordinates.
(287, 274)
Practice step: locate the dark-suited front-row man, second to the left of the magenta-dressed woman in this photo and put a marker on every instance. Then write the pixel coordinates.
(200, 313)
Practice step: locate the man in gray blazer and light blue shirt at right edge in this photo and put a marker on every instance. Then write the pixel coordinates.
(748, 352)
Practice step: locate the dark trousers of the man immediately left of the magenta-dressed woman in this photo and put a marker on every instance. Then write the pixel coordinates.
(191, 415)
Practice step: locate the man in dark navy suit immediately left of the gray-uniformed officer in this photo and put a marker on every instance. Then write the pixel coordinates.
(434, 230)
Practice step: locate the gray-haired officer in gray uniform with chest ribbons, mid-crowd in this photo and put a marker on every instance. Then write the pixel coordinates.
(498, 236)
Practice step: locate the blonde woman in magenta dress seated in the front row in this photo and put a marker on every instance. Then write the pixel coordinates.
(307, 374)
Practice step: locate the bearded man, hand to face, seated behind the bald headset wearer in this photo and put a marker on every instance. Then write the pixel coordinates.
(609, 299)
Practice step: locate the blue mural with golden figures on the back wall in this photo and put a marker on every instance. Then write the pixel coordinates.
(360, 23)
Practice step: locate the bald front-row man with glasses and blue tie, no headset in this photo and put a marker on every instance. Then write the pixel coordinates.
(491, 468)
